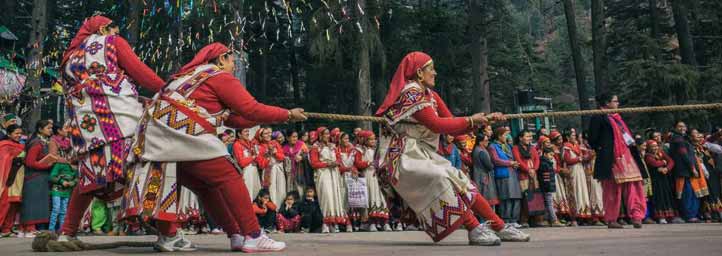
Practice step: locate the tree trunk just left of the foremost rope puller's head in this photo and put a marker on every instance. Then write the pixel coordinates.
(363, 81)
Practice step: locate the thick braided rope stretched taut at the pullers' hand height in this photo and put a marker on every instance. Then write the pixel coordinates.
(670, 108)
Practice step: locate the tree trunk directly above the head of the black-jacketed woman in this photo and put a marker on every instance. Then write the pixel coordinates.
(599, 44)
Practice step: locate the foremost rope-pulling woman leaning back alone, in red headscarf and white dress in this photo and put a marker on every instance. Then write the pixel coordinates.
(416, 116)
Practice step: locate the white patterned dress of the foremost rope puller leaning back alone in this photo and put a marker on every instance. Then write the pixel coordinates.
(438, 193)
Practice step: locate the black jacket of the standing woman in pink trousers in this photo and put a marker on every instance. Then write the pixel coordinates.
(601, 139)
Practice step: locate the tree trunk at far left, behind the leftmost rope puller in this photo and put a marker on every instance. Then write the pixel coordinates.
(35, 64)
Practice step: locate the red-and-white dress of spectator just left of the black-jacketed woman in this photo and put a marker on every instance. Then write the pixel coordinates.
(578, 179)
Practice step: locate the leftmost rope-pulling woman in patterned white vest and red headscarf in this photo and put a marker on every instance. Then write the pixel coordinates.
(101, 75)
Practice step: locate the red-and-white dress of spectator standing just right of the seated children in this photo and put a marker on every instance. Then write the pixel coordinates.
(329, 186)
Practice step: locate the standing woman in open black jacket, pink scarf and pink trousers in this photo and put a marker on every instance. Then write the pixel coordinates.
(615, 167)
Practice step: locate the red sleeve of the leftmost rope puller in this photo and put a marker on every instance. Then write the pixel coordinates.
(134, 68)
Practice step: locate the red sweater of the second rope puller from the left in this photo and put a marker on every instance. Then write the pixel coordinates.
(225, 91)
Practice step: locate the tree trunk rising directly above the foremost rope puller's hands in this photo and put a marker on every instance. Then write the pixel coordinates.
(479, 57)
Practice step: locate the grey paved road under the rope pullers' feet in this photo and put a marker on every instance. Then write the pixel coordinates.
(678, 240)
